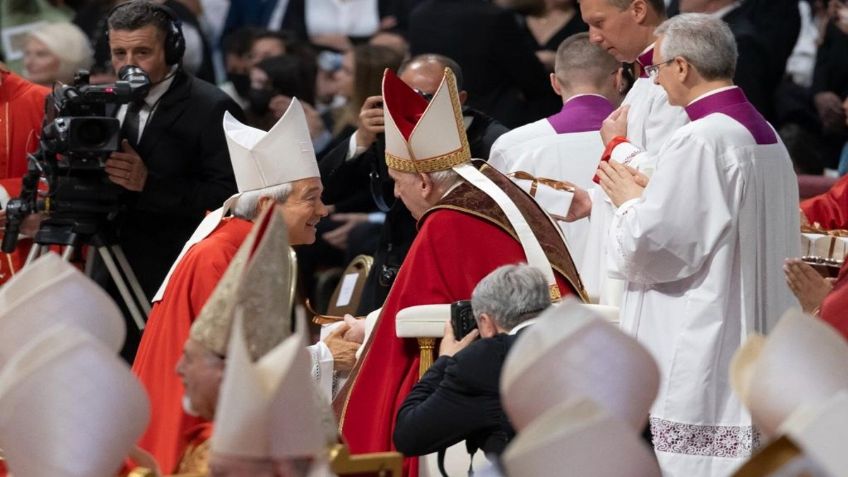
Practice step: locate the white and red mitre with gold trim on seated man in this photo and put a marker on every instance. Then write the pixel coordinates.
(421, 136)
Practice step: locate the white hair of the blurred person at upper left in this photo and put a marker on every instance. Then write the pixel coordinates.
(68, 43)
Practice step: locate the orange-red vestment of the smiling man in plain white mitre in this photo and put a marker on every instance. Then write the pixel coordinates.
(167, 329)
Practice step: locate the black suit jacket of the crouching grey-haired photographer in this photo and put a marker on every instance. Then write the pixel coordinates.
(457, 399)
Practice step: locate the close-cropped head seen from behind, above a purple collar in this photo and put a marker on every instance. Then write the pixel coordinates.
(580, 64)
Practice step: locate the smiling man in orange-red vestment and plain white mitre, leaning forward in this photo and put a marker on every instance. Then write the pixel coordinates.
(277, 166)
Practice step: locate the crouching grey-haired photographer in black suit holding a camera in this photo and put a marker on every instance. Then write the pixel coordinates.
(459, 396)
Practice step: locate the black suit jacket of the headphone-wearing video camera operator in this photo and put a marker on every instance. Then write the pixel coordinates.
(189, 173)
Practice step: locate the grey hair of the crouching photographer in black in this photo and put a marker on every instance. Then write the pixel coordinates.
(511, 294)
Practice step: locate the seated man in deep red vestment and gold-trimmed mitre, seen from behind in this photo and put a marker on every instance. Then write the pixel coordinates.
(467, 228)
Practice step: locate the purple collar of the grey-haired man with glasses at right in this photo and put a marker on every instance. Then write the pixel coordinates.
(733, 103)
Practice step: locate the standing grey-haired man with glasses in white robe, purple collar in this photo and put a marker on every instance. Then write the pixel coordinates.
(701, 246)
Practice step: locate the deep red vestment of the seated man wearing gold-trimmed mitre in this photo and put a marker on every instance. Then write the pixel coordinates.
(451, 254)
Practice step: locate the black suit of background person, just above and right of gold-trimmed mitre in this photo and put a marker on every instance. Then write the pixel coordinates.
(502, 75)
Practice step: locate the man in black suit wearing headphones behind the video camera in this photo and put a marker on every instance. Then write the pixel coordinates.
(173, 163)
